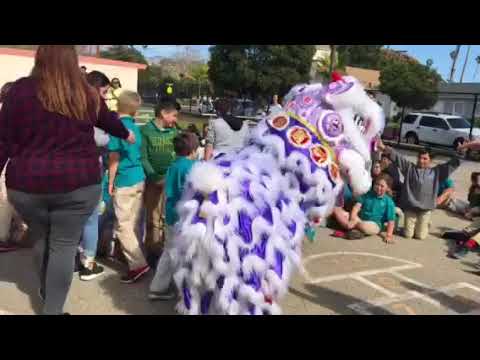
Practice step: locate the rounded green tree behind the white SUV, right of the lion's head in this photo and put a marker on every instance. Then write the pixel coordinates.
(410, 85)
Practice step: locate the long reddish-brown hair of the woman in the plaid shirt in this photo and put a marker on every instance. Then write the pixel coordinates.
(62, 88)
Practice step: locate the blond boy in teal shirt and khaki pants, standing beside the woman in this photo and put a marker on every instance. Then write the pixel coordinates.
(126, 186)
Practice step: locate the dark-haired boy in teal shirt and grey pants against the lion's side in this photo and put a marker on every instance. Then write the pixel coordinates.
(185, 145)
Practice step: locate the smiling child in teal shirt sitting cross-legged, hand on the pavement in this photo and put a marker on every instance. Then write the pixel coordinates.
(371, 212)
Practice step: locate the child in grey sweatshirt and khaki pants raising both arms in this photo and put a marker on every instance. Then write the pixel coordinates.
(419, 191)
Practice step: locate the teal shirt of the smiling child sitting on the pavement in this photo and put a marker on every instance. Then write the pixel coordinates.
(377, 209)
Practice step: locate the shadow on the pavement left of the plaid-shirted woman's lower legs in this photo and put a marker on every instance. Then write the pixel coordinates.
(18, 268)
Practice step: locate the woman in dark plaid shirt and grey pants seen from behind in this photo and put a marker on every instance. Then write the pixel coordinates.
(53, 176)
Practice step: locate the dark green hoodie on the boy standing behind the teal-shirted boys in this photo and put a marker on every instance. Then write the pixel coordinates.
(157, 150)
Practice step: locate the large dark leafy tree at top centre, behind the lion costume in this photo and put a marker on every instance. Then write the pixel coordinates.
(259, 71)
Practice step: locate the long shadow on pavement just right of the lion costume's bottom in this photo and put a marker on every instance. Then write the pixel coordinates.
(332, 300)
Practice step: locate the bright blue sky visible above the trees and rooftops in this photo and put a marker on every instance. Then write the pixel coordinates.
(440, 54)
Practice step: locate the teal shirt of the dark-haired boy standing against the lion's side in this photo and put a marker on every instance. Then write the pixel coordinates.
(174, 184)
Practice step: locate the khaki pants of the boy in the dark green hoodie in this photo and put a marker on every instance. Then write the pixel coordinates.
(155, 205)
